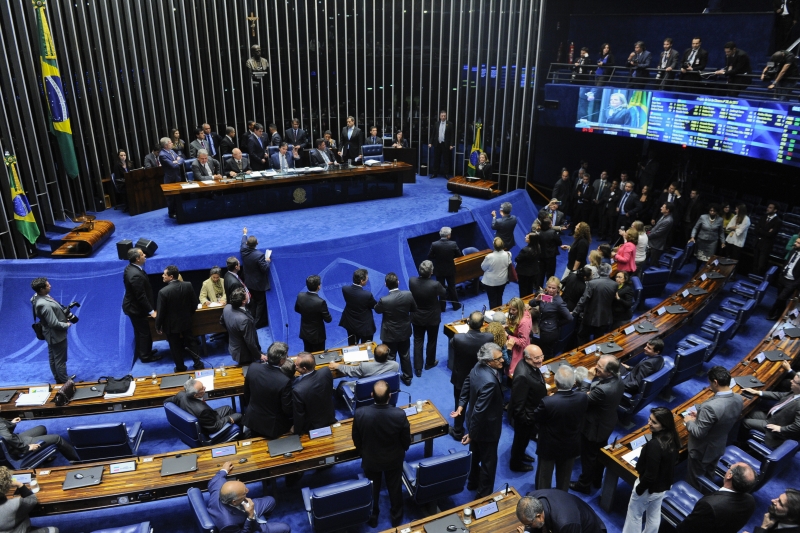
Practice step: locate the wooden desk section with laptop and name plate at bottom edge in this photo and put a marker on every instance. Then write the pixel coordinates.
(503, 521)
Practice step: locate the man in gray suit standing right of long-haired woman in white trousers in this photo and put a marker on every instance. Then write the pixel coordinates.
(709, 427)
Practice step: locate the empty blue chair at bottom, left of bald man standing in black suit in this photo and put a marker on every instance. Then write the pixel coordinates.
(338, 506)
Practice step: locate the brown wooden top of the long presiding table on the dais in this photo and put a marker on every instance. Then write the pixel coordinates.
(170, 189)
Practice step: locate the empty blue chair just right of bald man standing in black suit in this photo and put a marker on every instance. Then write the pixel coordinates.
(429, 479)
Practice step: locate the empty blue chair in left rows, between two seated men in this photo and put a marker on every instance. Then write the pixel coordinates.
(106, 441)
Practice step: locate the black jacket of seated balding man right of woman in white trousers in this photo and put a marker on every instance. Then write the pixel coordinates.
(720, 512)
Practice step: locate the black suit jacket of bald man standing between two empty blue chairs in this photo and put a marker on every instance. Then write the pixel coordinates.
(381, 434)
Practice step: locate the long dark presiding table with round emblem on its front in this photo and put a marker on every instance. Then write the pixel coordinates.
(198, 201)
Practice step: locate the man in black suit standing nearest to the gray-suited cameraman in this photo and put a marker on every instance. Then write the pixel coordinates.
(138, 304)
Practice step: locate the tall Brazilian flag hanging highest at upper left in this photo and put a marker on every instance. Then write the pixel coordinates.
(51, 80)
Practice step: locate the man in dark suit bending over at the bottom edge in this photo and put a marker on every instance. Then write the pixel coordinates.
(556, 511)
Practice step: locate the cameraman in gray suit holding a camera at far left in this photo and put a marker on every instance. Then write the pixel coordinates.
(54, 326)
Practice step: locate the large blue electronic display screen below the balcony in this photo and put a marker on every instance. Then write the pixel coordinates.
(763, 130)
